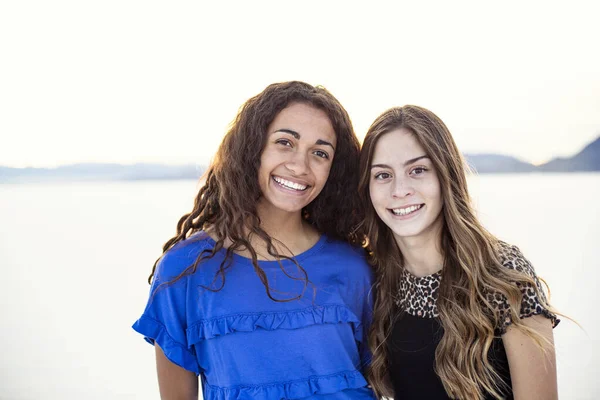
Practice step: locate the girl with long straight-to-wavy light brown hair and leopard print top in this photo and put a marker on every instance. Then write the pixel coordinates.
(458, 313)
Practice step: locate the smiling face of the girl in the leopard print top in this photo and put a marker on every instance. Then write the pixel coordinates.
(404, 187)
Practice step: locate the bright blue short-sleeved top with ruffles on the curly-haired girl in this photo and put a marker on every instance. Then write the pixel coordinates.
(244, 345)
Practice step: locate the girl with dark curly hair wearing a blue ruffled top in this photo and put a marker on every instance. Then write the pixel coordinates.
(261, 293)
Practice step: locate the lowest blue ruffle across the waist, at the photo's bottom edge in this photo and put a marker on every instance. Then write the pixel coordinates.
(289, 390)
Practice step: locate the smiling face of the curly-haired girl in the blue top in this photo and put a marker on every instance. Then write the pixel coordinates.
(296, 160)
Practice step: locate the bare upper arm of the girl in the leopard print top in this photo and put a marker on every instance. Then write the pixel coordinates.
(533, 372)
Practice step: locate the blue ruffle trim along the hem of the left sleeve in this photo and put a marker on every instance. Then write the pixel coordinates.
(176, 352)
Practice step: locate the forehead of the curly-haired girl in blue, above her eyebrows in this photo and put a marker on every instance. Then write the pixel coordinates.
(310, 122)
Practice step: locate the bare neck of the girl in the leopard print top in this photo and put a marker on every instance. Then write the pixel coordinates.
(422, 254)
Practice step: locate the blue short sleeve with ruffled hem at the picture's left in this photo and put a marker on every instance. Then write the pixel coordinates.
(164, 319)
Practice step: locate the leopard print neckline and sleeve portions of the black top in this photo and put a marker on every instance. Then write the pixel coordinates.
(418, 295)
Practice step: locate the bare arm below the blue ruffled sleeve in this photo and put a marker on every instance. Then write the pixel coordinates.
(175, 383)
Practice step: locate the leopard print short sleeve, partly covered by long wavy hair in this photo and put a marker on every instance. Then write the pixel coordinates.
(511, 257)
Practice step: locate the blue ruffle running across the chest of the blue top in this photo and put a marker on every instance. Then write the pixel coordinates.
(249, 322)
